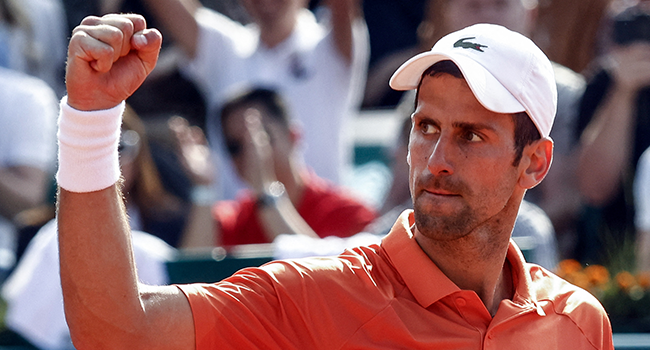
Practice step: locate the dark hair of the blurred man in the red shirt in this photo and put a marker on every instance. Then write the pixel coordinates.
(270, 99)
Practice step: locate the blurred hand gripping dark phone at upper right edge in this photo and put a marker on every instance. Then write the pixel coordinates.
(630, 66)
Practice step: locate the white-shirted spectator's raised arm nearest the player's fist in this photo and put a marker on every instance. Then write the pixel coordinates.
(177, 17)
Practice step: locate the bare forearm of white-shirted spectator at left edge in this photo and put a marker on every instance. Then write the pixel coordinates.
(21, 188)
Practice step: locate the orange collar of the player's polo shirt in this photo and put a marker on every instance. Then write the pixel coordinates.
(425, 280)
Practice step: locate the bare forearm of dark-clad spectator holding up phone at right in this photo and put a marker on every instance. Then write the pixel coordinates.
(605, 147)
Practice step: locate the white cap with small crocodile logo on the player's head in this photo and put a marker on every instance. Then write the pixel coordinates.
(506, 71)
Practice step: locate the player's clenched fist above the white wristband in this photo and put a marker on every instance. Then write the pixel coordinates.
(108, 59)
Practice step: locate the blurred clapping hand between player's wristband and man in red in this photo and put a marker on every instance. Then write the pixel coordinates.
(193, 151)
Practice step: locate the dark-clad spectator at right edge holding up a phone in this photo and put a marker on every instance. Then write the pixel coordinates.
(614, 127)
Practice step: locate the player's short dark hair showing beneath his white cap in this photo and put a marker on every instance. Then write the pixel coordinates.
(525, 130)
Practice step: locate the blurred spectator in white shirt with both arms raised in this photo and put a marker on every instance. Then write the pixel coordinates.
(319, 67)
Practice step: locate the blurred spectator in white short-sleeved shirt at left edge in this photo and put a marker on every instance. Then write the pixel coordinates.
(27, 152)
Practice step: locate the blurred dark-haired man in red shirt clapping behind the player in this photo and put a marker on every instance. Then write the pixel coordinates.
(285, 197)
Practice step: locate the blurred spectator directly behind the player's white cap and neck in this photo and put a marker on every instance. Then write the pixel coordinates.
(557, 195)
